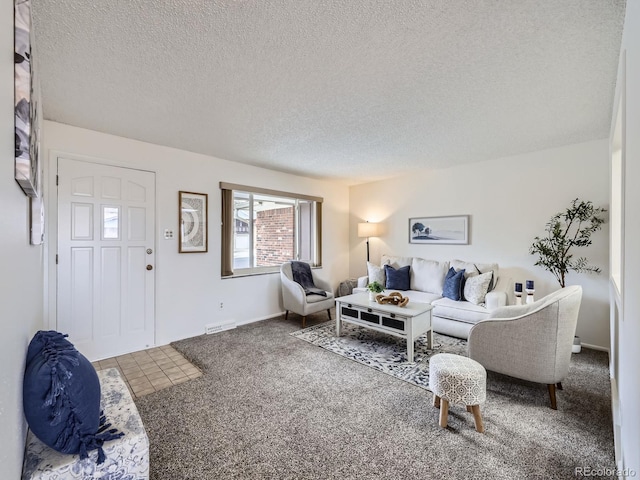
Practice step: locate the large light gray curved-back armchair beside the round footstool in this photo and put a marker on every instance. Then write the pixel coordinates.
(532, 342)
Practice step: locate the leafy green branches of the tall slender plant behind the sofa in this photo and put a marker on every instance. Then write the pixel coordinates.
(565, 230)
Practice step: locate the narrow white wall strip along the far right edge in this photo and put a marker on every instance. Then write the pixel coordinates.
(628, 354)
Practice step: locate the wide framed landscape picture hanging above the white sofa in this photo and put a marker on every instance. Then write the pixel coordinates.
(445, 230)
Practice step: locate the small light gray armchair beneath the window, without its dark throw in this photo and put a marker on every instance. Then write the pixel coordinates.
(295, 300)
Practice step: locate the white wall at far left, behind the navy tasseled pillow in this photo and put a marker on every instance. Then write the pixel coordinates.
(20, 269)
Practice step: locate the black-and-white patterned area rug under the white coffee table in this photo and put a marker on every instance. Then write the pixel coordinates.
(386, 353)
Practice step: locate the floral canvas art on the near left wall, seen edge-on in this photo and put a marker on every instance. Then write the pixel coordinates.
(27, 102)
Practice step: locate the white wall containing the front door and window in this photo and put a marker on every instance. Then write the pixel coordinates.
(189, 288)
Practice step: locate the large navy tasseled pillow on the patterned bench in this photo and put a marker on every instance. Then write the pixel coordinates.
(61, 397)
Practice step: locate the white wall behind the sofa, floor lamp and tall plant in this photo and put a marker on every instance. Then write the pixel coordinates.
(509, 201)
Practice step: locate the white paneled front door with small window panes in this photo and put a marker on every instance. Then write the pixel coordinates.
(106, 253)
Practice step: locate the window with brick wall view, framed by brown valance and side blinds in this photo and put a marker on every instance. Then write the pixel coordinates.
(263, 228)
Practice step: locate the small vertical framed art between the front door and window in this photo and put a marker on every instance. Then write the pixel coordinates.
(193, 222)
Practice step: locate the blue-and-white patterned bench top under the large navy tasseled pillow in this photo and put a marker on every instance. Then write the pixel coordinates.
(126, 457)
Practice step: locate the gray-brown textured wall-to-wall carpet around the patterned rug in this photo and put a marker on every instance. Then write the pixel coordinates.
(272, 406)
